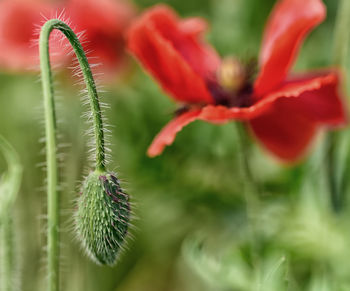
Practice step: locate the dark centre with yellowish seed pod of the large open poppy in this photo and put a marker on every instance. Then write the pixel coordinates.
(232, 86)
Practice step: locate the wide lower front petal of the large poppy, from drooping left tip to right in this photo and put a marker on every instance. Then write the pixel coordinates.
(284, 121)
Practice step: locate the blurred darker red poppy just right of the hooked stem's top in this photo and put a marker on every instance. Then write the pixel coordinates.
(103, 23)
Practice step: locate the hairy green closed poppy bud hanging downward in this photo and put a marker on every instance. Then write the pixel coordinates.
(103, 217)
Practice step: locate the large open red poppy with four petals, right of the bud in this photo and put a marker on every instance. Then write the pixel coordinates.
(283, 111)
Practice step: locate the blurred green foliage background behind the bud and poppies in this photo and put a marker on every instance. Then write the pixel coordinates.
(195, 227)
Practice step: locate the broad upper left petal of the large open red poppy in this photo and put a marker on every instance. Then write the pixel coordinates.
(171, 51)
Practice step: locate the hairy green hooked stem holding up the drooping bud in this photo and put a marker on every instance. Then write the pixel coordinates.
(50, 131)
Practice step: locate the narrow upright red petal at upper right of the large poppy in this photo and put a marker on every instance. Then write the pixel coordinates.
(289, 23)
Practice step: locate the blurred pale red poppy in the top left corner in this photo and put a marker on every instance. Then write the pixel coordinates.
(18, 24)
